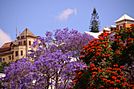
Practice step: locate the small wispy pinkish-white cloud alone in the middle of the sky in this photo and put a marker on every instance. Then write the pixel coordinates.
(65, 14)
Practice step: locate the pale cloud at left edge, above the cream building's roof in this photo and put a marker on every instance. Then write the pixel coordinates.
(4, 37)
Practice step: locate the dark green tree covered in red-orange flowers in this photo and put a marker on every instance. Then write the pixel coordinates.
(109, 61)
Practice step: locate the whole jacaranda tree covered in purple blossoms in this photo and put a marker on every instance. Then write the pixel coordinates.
(52, 62)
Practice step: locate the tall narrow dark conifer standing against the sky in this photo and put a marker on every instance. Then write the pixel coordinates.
(94, 24)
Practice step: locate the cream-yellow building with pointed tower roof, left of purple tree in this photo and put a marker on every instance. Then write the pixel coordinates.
(18, 48)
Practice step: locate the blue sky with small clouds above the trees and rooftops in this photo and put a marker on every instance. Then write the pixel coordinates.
(48, 15)
